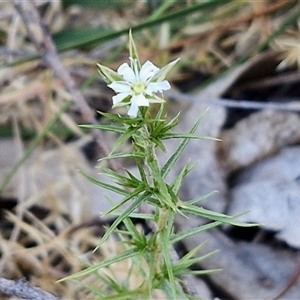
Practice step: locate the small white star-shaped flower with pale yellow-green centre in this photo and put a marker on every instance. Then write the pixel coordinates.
(138, 87)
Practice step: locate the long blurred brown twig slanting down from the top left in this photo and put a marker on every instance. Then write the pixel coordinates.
(40, 37)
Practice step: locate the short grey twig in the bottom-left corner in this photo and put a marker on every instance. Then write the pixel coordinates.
(23, 289)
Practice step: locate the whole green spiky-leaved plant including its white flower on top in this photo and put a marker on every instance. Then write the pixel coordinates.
(136, 86)
